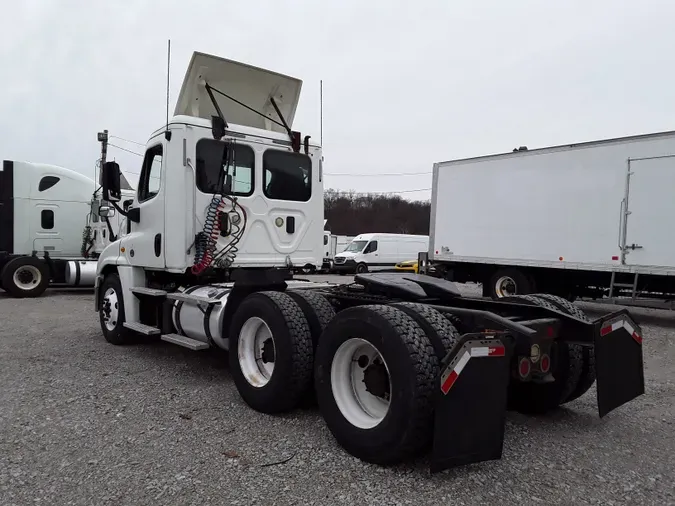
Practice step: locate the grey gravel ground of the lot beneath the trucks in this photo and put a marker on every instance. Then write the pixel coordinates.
(84, 422)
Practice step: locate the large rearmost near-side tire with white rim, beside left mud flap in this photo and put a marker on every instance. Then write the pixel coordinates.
(404, 426)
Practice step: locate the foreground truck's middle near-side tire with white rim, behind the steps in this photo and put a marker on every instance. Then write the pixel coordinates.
(283, 387)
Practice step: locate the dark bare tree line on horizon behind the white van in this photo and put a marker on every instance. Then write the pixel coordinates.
(351, 213)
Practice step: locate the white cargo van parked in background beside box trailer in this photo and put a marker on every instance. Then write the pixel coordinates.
(373, 252)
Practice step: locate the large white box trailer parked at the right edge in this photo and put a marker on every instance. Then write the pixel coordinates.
(590, 219)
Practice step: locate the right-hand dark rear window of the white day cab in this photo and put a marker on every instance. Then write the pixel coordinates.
(287, 176)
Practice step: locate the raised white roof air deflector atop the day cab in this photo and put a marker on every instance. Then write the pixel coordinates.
(249, 85)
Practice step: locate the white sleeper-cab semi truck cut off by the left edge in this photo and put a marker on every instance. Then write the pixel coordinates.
(52, 227)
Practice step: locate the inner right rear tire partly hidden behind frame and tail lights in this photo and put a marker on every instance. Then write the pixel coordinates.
(566, 367)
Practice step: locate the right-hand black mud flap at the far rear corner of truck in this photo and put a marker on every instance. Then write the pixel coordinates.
(618, 361)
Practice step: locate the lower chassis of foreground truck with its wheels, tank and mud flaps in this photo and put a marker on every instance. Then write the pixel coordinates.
(397, 362)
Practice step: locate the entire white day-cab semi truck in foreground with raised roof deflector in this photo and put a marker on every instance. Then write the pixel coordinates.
(397, 362)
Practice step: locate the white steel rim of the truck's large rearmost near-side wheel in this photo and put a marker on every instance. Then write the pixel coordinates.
(360, 407)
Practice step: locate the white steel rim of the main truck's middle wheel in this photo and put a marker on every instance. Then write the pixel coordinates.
(256, 341)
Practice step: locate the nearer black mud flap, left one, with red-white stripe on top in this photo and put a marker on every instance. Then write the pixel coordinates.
(471, 403)
